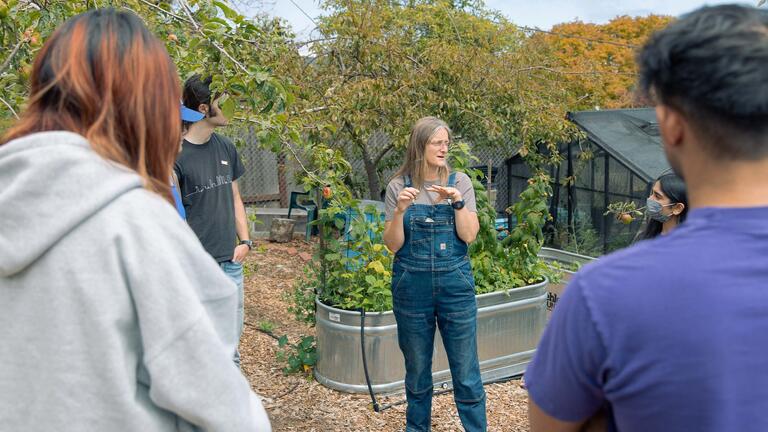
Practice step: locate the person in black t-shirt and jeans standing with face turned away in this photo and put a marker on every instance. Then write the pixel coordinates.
(207, 169)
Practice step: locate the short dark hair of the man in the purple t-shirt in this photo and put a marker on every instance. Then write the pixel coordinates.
(712, 65)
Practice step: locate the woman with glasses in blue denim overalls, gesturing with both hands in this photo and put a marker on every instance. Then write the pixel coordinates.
(432, 282)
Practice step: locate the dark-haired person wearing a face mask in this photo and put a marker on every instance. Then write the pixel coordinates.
(666, 207)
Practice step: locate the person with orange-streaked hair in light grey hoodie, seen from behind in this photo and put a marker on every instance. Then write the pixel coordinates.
(110, 307)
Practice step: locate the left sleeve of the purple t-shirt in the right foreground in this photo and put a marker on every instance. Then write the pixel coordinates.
(564, 376)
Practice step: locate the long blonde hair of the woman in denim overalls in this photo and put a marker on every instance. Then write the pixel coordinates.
(415, 164)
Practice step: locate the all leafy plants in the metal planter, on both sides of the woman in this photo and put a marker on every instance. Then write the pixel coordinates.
(352, 269)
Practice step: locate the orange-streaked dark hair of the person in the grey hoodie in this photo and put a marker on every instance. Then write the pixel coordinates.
(103, 75)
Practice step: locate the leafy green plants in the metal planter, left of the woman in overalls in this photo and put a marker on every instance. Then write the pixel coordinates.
(351, 268)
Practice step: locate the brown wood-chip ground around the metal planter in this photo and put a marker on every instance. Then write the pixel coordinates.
(298, 403)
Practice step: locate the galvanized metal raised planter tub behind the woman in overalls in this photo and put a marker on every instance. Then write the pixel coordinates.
(509, 325)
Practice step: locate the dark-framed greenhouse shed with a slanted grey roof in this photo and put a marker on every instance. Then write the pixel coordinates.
(617, 161)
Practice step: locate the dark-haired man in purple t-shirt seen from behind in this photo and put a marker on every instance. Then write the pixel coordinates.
(672, 333)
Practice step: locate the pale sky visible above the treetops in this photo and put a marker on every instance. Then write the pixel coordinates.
(543, 13)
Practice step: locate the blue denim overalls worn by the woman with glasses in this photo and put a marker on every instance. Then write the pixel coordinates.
(432, 284)
